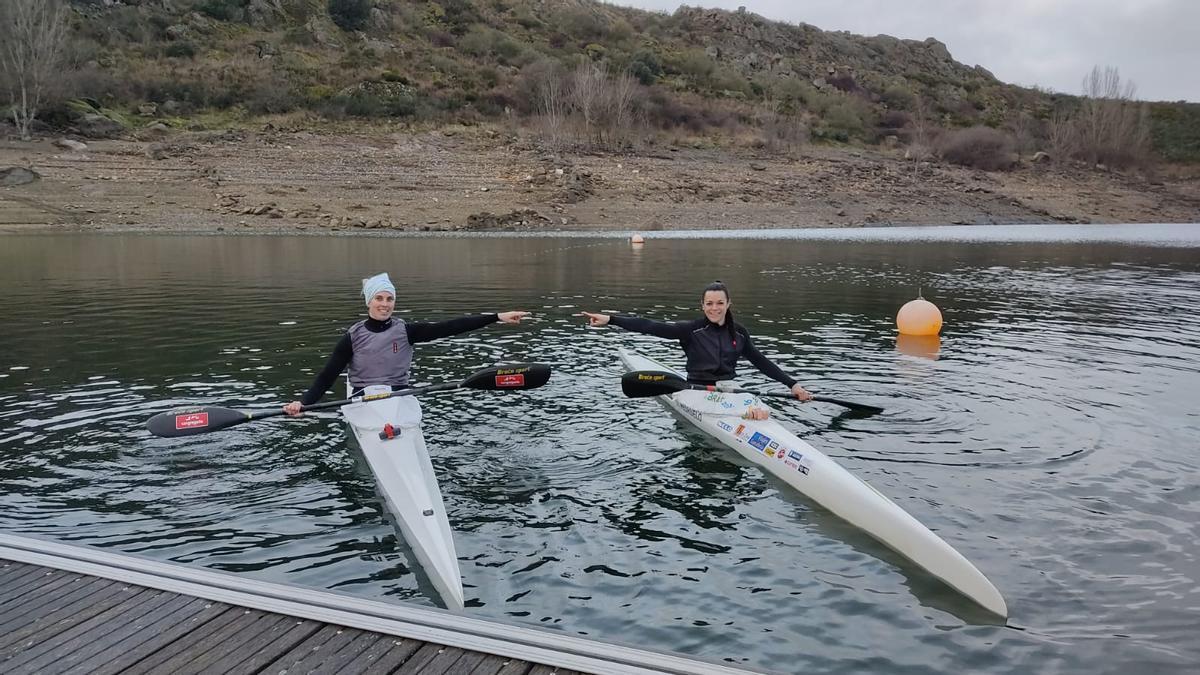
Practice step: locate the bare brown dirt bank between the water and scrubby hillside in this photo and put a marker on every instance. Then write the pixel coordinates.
(481, 180)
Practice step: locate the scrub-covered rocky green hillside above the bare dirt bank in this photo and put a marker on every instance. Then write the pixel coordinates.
(731, 76)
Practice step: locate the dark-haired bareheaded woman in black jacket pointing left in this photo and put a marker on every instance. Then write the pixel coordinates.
(713, 343)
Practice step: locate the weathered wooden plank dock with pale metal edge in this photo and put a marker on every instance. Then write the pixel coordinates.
(69, 610)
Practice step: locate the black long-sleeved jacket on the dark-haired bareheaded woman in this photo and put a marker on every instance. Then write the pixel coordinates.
(712, 350)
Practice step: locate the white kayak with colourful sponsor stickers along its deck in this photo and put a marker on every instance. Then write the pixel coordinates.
(783, 455)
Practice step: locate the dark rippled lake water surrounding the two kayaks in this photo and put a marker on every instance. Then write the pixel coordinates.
(1049, 434)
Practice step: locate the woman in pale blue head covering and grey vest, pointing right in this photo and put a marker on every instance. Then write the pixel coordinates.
(379, 350)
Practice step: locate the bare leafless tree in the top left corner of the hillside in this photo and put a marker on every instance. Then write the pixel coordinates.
(33, 34)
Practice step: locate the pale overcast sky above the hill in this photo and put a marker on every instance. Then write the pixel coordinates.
(1053, 44)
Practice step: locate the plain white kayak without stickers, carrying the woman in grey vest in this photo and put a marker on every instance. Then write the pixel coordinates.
(410, 488)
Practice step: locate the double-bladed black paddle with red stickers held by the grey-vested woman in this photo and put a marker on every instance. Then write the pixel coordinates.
(190, 422)
